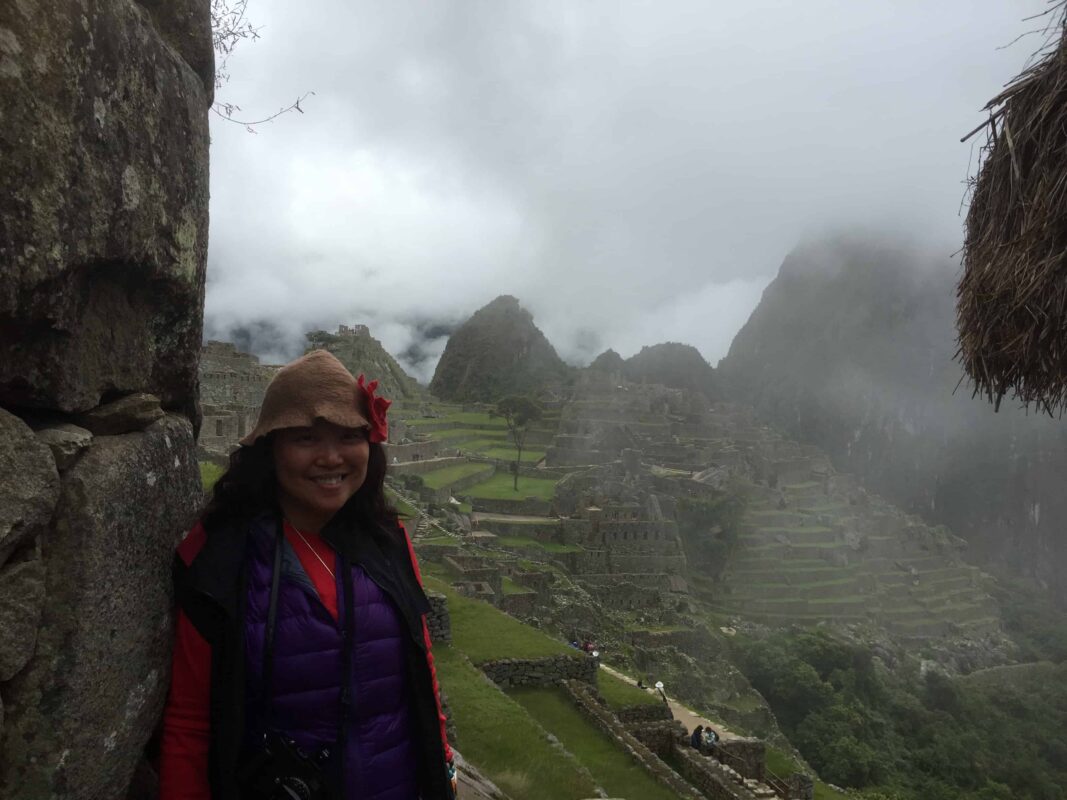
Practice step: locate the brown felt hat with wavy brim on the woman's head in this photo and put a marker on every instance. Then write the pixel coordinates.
(315, 387)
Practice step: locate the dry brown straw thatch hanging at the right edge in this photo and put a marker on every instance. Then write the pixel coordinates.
(1012, 301)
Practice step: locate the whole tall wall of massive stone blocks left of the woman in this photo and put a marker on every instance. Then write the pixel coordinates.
(104, 161)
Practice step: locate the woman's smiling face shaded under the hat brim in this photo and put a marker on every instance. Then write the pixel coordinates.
(318, 470)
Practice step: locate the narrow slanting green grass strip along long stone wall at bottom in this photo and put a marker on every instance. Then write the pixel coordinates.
(611, 767)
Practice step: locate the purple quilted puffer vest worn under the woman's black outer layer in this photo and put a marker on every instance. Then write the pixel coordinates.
(380, 761)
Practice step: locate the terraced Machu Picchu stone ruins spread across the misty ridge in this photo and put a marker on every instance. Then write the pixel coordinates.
(664, 524)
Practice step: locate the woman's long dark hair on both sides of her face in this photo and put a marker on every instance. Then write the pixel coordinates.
(249, 488)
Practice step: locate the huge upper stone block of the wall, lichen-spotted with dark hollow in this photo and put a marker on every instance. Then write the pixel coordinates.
(104, 166)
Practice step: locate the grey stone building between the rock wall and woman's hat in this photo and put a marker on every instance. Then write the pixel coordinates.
(232, 391)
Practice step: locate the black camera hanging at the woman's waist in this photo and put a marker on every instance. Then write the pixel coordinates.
(282, 771)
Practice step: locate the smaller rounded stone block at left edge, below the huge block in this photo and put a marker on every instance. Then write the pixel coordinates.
(29, 484)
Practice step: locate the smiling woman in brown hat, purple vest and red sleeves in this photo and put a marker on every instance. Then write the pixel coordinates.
(302, 664)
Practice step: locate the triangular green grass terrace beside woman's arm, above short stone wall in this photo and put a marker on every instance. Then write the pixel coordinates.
(484, 633)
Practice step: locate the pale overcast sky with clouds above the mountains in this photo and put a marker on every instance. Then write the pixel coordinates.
(633, 172)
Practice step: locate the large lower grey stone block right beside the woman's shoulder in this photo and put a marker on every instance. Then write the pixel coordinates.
(82, 711)
